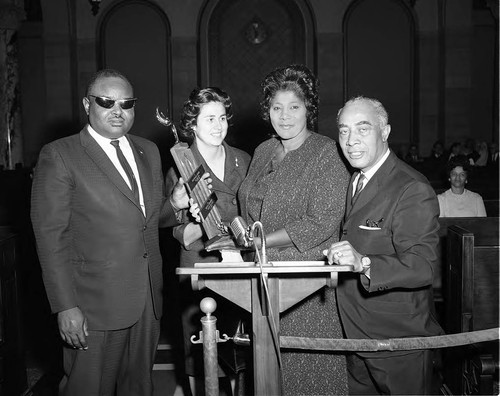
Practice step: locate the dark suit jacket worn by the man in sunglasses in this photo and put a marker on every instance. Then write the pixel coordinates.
(96, 248)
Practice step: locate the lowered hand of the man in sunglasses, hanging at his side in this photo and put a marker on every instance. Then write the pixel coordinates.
(73, 328)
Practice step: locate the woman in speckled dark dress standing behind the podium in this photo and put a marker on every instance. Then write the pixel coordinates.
(296, 186)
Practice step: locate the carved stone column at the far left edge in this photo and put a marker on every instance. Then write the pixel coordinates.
(11, 150)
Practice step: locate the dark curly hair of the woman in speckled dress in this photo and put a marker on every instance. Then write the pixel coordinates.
(298, 79)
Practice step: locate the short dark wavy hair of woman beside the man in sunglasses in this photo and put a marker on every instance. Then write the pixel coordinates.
(192, 108)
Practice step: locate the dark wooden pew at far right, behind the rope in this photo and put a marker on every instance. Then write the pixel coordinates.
(471, 303)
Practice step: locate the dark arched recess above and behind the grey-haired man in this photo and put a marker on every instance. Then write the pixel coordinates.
(380, 61)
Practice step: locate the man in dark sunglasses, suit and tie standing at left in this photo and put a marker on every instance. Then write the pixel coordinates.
(97, 202)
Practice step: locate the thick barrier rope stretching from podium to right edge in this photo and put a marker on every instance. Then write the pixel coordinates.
(392, 344)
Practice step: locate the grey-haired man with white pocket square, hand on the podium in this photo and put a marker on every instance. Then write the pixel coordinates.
(389, 235)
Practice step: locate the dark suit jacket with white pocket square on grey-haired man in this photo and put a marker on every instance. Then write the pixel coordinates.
(398, 300)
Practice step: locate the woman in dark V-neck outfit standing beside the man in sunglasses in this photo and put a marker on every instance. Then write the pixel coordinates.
(204, 125)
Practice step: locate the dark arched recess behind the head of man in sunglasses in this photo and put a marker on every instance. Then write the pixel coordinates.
(134, 38)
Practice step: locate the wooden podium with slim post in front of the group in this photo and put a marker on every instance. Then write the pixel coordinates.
(288, 282)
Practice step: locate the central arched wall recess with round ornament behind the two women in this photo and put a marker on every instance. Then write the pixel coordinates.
(247, 40)
